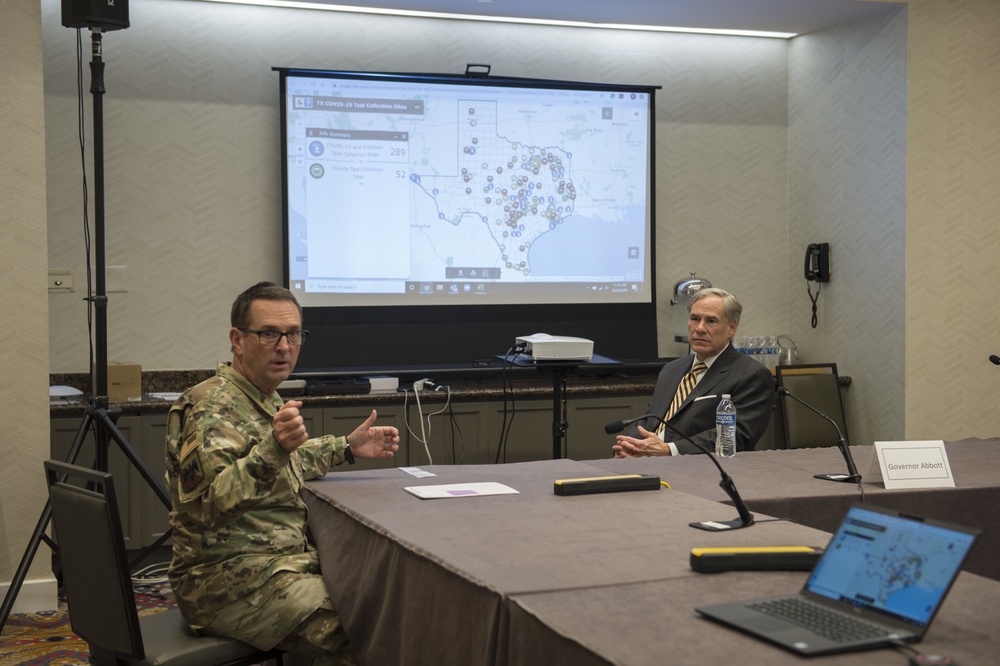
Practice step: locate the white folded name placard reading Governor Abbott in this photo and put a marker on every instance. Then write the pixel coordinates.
(917, 464)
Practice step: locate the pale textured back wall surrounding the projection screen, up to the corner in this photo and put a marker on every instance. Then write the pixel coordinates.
(192, 154)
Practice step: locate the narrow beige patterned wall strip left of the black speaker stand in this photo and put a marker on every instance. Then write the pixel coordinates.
(24, 437)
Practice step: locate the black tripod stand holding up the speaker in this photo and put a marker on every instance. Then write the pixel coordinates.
(98, 418)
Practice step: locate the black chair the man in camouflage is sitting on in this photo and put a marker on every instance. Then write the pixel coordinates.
(98, 584)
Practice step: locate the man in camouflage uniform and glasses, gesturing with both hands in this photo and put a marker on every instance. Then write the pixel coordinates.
(237, 457)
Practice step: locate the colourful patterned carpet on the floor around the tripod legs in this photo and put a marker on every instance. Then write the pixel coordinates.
(43, 639)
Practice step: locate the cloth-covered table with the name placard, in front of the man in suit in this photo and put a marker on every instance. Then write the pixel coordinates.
(780, 483)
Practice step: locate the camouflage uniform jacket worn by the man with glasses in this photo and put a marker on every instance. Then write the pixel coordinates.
(236, 515)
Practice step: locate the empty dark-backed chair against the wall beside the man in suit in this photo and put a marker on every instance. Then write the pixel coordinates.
(819, 386)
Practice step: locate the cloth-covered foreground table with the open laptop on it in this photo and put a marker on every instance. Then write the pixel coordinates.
(539, 578)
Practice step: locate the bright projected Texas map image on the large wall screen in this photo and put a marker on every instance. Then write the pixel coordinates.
(489, 186)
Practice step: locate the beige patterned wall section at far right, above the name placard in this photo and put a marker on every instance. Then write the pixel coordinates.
(953, 220)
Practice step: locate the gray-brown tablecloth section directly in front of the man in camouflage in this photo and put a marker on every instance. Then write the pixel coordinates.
(426, 581)
